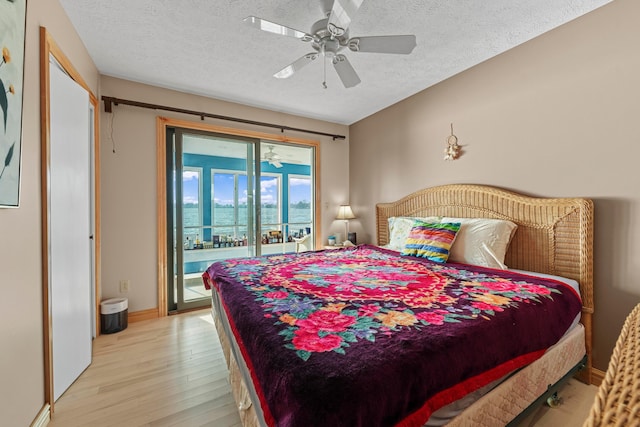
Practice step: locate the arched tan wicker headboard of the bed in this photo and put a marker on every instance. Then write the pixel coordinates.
(554, 235)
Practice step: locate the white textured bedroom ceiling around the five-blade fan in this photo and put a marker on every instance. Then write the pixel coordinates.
(203, 47)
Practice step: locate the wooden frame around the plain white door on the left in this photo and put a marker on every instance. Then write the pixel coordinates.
(48, 47)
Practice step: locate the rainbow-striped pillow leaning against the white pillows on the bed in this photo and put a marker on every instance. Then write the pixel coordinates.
(431, 240)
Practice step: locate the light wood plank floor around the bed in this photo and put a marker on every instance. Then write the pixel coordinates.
(171, 372)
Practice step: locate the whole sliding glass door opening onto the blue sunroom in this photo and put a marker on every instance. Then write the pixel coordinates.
(232, 197)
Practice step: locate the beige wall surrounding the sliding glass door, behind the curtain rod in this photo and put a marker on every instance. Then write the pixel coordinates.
(129, 242)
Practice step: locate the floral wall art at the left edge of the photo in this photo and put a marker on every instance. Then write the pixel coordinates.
(12, 33)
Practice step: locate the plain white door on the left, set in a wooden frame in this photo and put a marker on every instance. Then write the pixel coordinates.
(69, 230)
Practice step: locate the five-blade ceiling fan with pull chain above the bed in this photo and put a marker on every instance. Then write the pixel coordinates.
(330, 36)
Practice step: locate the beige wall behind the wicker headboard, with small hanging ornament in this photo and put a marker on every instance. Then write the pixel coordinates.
(557, 116)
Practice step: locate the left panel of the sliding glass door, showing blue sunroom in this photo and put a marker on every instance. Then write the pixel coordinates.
(203, 224)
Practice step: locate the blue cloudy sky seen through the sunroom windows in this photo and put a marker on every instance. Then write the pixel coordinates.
(300, 188)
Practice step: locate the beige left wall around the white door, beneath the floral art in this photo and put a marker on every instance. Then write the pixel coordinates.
(21, 357)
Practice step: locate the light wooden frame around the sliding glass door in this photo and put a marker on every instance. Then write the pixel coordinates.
(162, 123)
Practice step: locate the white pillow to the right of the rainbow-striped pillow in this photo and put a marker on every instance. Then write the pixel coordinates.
(481, 241)
